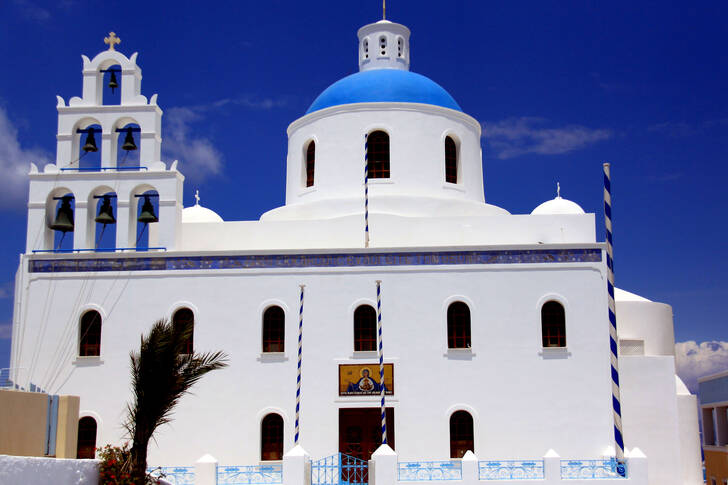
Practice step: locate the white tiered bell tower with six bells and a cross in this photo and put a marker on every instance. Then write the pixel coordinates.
(136, 201)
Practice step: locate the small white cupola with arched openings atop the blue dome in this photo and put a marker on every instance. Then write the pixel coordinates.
(383, 45)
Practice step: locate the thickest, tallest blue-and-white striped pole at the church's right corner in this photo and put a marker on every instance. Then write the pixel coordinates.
(618, 437)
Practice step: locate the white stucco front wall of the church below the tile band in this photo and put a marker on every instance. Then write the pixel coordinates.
(512, 387)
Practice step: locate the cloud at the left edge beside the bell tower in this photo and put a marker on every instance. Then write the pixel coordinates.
(15, 164)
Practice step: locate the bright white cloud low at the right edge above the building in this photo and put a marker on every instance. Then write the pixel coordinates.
(695, 360)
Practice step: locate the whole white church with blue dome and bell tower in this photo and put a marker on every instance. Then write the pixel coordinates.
(495, 329)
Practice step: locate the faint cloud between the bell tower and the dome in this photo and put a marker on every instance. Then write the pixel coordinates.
(198, 158)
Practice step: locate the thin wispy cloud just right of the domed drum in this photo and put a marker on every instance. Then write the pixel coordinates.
(513, 137)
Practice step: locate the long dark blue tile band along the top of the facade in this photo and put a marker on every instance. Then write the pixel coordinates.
(333, 260)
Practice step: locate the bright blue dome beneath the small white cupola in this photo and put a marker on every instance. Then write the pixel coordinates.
(384, 85)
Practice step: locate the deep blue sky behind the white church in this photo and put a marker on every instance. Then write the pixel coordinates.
(559, 86)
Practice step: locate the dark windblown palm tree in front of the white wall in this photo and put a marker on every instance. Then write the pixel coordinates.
(161, 374)
